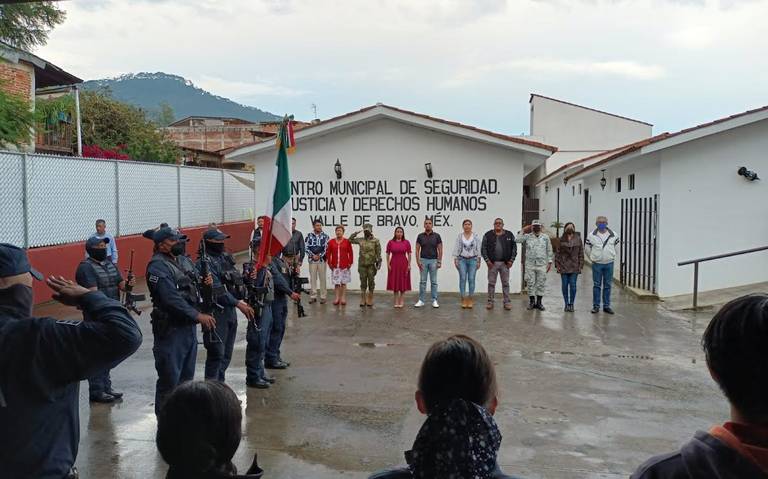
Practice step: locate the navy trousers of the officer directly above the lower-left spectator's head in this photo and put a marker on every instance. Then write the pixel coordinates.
(175, 355)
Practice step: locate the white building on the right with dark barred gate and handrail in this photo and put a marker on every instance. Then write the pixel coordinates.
(675, 197)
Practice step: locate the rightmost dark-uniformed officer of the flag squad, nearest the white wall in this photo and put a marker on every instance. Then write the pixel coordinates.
(283, 291)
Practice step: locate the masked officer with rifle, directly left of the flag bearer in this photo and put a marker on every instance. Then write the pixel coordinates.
(228, 292)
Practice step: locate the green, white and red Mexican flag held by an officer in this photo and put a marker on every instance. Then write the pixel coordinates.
(277, 219)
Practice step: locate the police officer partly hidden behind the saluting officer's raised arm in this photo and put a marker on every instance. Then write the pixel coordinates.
(98, 273)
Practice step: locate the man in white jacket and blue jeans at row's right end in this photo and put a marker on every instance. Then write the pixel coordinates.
(601, 249)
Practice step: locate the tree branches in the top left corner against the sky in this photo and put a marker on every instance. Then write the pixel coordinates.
(27, 25)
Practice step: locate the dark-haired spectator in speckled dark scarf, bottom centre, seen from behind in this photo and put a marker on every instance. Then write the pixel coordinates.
(457, 391)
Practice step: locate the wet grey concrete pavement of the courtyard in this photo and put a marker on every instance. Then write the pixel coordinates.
(582, 395)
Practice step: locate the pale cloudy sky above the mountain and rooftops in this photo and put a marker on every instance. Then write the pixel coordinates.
(673, 63)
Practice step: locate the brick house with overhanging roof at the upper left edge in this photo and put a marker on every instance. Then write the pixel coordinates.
(35, 79)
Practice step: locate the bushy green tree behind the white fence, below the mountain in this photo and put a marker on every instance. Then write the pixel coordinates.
(118, 127)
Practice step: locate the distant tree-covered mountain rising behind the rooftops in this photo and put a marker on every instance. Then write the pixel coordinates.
(149, 91)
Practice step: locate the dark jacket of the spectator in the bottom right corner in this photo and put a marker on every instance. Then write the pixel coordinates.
(704, 457)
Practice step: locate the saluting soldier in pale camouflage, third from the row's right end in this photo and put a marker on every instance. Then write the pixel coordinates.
(538, 262)
